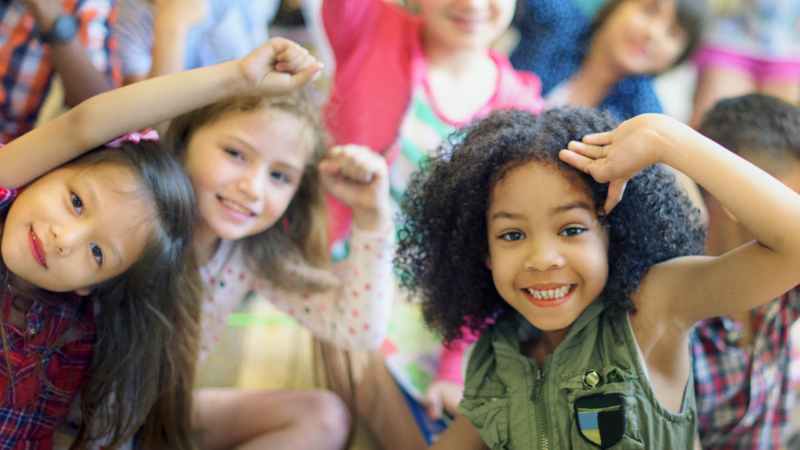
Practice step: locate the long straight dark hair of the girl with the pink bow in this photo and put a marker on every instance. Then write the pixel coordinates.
(147, 332)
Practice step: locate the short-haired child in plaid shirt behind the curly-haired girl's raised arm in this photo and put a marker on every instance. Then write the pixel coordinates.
(742, 361)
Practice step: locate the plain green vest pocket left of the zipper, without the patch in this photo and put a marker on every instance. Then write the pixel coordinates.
(489, 416)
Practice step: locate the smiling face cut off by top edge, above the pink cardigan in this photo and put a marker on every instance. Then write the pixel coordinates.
(460, 24)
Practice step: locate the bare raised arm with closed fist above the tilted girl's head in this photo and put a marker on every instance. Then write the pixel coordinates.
(276, 68)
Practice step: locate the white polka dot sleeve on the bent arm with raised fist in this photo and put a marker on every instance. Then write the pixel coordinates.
(354, 312)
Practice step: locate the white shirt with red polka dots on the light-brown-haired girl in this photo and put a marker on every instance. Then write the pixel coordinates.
(353, 313)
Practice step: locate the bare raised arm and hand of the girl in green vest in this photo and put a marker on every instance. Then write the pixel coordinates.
(696, 287)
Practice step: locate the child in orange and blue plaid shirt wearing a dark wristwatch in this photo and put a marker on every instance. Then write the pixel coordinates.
(39, 38)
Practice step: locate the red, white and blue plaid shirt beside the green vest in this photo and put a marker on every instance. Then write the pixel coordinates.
(744, 395)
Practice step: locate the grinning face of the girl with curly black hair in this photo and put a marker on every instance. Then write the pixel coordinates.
(548, 251)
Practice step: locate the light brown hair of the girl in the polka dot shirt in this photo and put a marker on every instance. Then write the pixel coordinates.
(300, 236)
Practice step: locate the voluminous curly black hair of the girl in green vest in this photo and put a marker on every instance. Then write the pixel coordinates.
(443, 245)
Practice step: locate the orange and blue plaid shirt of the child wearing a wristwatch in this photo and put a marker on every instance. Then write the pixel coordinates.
(26, 68)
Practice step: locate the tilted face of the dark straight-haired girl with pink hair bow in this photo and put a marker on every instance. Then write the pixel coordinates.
(76, 227)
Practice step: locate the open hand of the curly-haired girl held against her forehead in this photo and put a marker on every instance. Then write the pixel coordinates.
(616, 156)
